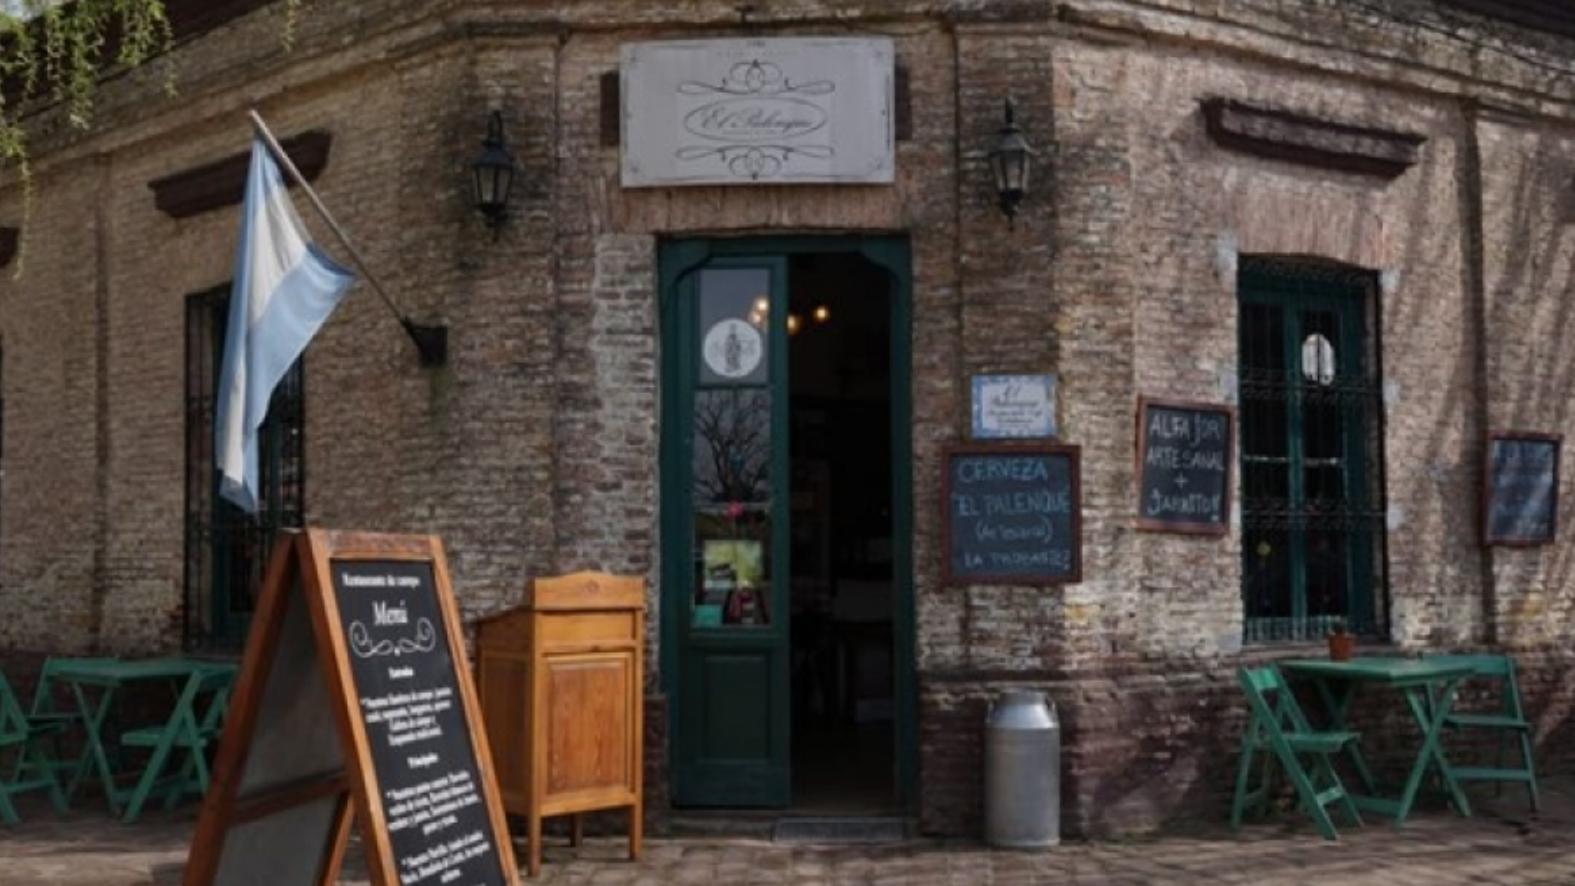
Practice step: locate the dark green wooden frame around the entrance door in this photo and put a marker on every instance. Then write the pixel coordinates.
(892, 254)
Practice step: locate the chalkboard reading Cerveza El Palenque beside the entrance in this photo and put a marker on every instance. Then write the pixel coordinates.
(1014, 515)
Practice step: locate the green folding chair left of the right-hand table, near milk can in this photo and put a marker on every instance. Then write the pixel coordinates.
(1280, 733)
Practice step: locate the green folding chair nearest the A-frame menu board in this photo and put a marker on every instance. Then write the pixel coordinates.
(193, 726)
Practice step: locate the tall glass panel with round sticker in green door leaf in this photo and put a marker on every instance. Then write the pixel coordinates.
(733, 452)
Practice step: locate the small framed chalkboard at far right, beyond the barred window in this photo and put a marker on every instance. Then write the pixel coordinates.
(1522, 497)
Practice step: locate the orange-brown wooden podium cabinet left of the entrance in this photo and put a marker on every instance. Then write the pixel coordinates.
(561, 688)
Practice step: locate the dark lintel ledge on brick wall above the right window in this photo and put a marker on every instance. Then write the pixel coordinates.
(1300, 139)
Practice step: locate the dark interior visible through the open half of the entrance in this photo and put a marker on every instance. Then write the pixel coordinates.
(840, 360)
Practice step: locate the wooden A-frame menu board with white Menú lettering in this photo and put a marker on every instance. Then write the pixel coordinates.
(355, 703)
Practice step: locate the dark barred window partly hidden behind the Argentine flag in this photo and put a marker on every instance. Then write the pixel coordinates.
(228, 548)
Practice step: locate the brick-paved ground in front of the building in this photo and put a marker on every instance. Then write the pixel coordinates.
(1503, 844)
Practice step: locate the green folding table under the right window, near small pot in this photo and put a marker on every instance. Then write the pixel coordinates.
(1429, 692)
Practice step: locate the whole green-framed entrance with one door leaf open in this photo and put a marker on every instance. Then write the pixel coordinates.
(787, 523)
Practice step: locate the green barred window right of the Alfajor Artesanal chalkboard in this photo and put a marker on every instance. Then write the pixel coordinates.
(1313, 525)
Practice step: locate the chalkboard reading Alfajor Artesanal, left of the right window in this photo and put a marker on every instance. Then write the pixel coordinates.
(1185, 454)
